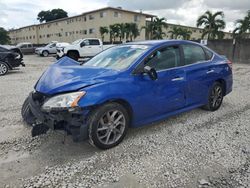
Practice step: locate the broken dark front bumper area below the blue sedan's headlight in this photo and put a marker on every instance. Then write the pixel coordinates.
(73, 122)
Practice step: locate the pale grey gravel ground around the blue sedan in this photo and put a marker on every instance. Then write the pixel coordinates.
(193, 149)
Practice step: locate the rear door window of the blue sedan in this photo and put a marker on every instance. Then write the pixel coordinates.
(193, 54)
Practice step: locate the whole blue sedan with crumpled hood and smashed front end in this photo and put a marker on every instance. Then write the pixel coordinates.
(129, 85)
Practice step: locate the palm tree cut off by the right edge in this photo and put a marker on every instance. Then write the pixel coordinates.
(242, 29)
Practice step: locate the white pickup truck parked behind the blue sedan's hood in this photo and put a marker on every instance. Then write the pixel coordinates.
(83, 48)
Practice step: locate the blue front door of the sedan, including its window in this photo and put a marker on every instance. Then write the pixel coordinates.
(167, 93)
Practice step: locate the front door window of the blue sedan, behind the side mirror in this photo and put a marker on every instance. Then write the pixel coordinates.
(164, 58)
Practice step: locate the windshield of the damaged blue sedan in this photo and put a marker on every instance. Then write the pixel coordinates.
(118, 58)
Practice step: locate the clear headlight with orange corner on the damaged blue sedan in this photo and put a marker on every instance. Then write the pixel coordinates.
(65, 101)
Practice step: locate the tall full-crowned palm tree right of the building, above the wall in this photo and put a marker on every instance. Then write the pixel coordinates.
(212, 23)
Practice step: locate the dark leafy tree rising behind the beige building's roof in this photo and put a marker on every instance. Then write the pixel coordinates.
(51, 15)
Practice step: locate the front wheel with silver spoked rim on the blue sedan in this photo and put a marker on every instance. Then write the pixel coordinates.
(108, 125)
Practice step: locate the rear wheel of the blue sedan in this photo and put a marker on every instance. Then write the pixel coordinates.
(215, 97)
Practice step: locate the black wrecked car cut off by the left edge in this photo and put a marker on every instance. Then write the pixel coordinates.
(10, 58)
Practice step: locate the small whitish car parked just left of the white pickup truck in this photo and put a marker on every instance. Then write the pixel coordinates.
(50, 48)
